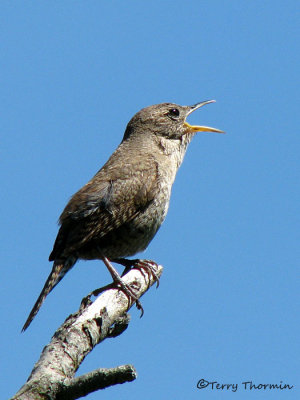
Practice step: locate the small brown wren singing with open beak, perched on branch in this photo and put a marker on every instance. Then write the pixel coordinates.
(118, 212)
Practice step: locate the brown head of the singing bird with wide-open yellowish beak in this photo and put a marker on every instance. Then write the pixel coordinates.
(167, 120)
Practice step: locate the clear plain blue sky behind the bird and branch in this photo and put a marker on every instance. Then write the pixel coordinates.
(72, 75)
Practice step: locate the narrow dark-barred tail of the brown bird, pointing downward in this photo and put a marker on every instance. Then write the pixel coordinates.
(59, 270)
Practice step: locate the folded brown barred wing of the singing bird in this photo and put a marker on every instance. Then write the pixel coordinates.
(110, 199)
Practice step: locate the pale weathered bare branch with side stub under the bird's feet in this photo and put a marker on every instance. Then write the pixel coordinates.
(52, 377)
